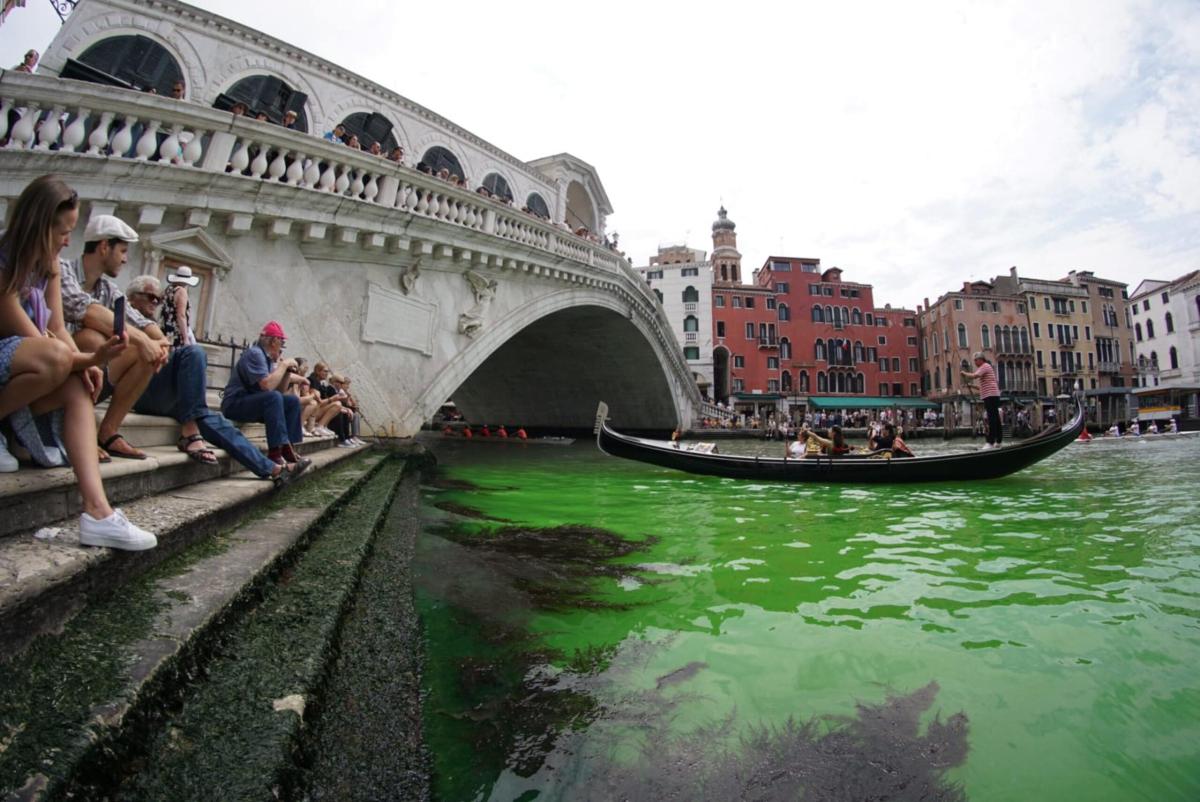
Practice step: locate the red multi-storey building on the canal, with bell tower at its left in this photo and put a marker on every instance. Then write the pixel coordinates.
(799, 336)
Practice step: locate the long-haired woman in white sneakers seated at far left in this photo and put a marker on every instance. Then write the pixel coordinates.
(41, 368)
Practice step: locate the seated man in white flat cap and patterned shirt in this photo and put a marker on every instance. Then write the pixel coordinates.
(89, 295)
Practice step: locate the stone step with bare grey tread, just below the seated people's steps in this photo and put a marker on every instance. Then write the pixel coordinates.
(73, 702)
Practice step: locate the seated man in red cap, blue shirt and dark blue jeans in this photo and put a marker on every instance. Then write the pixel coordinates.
(256, 393)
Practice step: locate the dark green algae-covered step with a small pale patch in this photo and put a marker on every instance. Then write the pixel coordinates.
(237, 729)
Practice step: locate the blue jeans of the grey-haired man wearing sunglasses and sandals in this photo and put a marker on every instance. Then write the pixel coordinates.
(178, 392)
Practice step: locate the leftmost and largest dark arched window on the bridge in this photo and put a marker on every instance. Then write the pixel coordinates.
(131, 62)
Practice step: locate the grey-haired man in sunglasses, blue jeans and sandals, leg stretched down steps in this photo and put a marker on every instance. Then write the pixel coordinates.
(179, 391)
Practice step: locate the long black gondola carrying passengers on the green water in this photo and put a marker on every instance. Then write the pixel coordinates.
(989, 464)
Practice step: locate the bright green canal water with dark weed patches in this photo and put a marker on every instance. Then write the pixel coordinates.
(1033, 638)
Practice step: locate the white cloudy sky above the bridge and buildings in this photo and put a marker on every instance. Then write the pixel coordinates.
(916, 146)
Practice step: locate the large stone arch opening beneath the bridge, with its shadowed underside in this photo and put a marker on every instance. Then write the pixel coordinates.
(550, 362)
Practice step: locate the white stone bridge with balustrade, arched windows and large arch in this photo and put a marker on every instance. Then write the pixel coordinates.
(421, 290)
